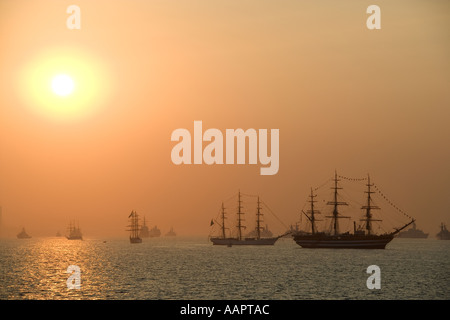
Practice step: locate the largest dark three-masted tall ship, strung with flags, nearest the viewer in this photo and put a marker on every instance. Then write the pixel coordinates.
(363, 237)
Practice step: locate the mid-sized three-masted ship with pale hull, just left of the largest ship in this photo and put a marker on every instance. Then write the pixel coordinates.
(226, 239)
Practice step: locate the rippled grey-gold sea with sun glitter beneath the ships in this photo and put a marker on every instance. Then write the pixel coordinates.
(192, 268)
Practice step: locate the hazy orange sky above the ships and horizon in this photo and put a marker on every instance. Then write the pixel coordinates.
(343, 97)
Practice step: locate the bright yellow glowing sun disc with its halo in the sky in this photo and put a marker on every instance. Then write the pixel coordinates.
(64, 84)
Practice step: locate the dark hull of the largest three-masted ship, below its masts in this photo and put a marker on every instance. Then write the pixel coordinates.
(343, 242)
